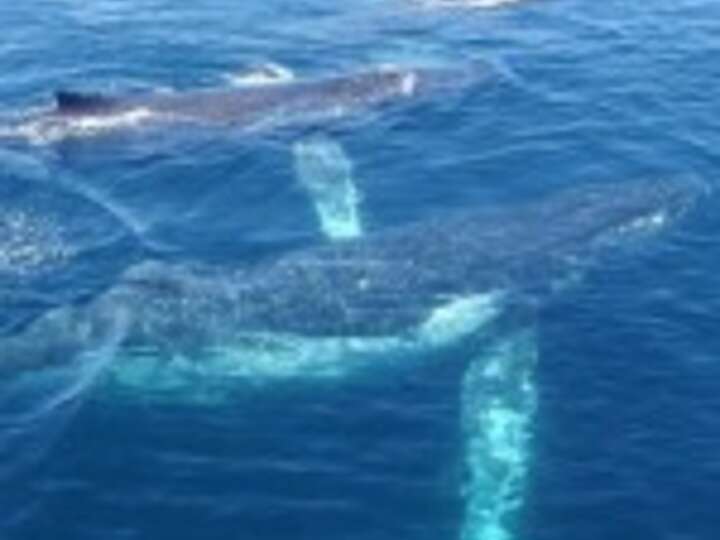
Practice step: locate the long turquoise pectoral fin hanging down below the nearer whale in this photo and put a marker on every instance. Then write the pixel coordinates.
(499, 400)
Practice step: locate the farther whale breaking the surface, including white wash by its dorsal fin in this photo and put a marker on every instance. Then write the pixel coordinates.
(257, 107)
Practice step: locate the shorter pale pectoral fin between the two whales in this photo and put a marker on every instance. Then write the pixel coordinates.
(326, 173)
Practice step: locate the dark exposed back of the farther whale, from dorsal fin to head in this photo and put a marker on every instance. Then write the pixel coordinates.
(283, 102)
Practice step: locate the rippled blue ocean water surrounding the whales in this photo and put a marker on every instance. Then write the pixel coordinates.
(625, 437)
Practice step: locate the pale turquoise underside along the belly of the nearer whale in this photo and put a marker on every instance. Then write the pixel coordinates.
(264, 357)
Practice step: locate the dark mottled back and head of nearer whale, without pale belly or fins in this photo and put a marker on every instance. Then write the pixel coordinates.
(378, 286)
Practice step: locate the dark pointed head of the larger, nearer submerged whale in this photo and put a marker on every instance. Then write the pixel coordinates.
(554, 243)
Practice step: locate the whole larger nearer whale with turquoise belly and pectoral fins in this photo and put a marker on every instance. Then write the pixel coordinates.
(467, 282)
